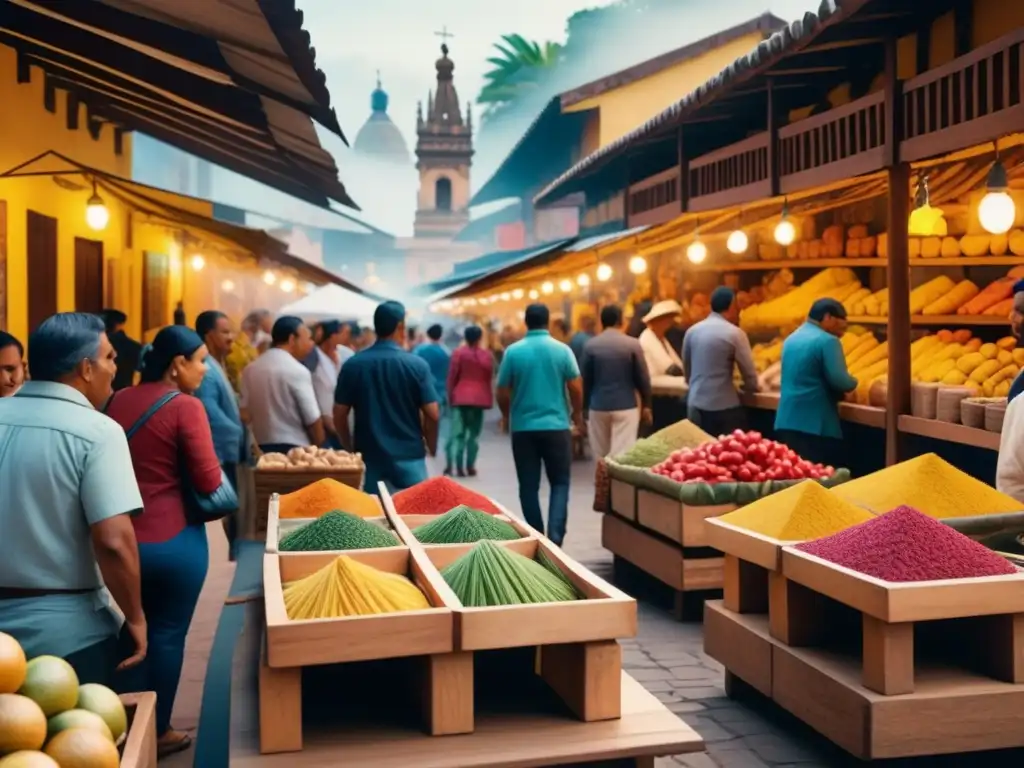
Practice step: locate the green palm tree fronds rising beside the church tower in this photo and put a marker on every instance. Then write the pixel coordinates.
(521, 68)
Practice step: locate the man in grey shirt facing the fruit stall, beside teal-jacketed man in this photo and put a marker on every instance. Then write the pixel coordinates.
(712, 350)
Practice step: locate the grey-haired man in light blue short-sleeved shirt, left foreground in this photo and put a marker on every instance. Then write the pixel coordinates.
(69, 492)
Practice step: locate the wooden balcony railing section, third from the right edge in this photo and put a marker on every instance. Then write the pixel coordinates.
(733, 176)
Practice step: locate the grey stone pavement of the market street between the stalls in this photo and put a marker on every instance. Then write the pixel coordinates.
(667, 656)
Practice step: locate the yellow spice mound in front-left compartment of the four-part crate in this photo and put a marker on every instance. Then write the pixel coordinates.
(350, 588)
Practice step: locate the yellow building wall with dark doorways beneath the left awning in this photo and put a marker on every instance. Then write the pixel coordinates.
(27, 132)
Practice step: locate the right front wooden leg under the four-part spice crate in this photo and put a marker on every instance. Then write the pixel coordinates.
(587, 676)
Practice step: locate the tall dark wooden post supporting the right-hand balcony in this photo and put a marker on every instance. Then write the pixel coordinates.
(899, 270)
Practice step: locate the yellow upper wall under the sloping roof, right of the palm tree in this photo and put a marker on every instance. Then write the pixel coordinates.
(624, 109)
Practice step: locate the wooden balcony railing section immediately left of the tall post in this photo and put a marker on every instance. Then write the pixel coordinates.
(842, 143)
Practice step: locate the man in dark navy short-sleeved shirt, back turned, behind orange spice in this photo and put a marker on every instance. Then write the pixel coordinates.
(397, 414)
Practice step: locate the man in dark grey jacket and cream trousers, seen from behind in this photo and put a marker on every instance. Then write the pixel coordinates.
(615, 378)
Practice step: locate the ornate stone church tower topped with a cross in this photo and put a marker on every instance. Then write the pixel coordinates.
(444, 152)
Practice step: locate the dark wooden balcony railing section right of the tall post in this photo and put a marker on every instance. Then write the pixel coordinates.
(972, 100)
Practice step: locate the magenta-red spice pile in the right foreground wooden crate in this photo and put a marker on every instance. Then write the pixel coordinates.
(907, 546)
